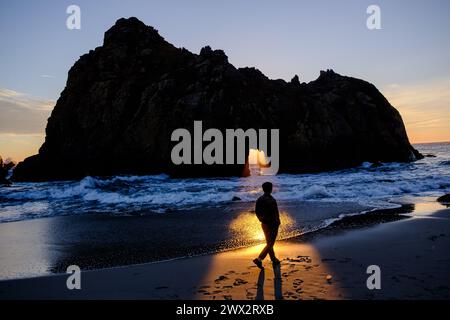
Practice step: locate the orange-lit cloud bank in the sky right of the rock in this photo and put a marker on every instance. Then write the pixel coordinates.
(425, 109)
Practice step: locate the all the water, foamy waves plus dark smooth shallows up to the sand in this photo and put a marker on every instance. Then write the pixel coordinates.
(103, 222)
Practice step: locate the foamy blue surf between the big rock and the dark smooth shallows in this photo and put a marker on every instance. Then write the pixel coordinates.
(376, 187)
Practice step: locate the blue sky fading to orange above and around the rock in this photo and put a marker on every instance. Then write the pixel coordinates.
(408, 59)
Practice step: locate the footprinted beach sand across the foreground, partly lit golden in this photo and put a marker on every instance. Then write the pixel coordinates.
(412, 253)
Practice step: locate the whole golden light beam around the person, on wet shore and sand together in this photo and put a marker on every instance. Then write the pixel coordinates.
(237, 264)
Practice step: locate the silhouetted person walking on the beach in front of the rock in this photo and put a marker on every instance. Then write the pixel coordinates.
(267, 212)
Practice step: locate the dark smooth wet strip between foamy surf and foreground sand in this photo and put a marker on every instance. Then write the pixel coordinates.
(92, 241)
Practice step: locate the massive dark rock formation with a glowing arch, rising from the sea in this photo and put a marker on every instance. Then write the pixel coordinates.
(123, 100)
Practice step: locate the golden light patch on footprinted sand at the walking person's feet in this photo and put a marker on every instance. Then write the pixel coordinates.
(232, 275)
